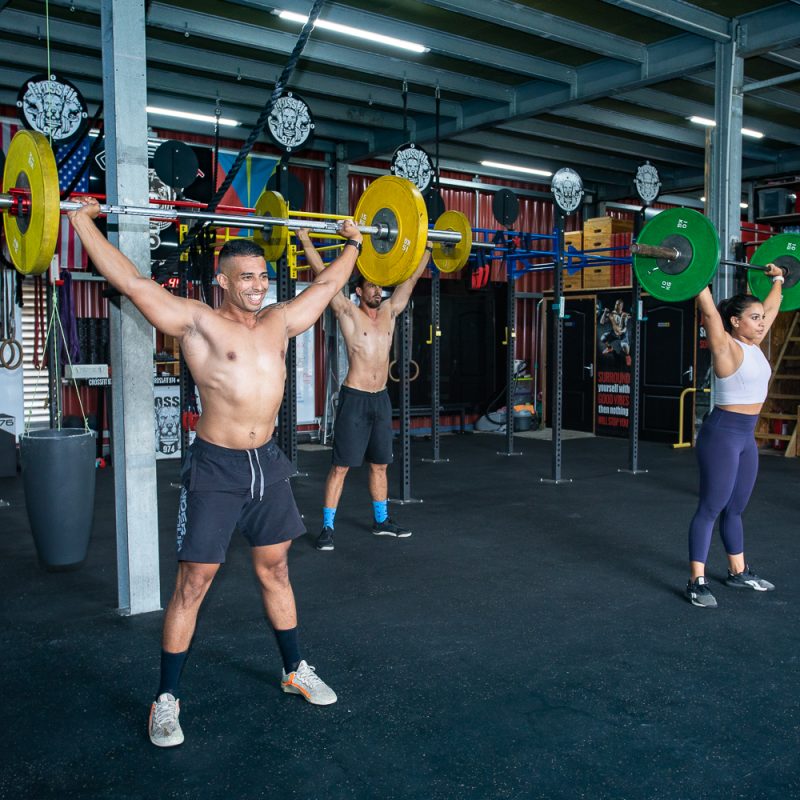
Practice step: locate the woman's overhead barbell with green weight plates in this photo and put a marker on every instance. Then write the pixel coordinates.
(677, 253)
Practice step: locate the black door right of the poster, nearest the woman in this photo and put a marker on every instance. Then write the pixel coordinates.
(667, 367)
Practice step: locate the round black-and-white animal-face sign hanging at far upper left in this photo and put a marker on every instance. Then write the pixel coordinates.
(53, 106)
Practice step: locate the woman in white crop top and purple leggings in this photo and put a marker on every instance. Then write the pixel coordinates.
(726, 449)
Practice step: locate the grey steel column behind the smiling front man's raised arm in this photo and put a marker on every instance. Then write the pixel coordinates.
(133, 437)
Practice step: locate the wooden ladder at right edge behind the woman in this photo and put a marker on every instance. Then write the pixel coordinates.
(783, 396)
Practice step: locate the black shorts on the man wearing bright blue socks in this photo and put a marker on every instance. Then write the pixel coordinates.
(363, 428)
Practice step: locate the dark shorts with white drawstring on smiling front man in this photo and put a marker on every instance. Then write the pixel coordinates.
(223, 489)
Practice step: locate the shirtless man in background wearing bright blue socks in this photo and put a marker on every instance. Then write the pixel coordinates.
(363, 427)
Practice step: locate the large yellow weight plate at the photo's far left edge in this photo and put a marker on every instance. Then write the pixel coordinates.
(32, 237)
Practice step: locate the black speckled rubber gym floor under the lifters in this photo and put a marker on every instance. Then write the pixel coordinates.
(528, 641)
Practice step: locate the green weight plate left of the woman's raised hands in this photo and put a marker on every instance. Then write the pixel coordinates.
(694, 237)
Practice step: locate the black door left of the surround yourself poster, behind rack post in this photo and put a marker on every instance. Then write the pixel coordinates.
(578, 366)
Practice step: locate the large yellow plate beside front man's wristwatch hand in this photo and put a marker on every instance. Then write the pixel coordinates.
(390, 261)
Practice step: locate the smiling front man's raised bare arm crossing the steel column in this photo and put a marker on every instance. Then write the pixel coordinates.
(170, 314)
